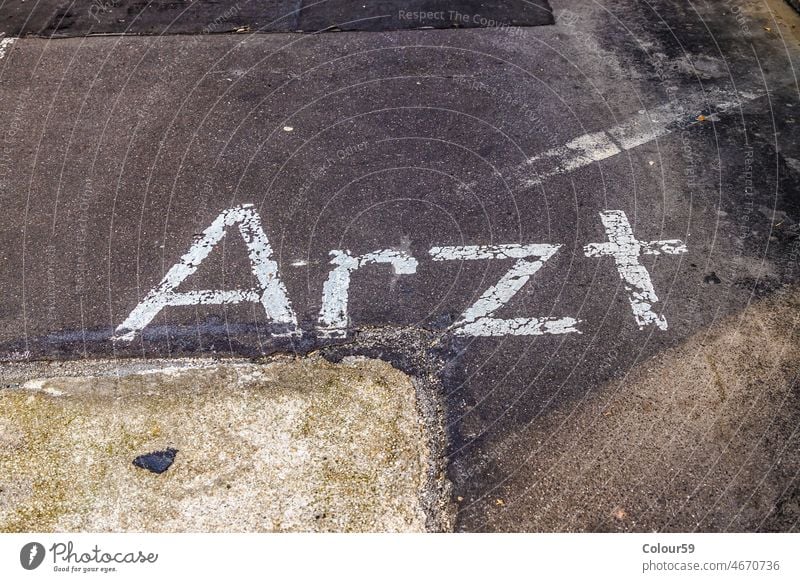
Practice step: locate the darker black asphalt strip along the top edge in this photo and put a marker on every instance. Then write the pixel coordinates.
(61, 18)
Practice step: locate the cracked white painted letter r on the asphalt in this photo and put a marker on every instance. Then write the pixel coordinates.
(333, 318)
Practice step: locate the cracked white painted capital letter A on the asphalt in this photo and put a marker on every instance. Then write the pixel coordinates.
(271, 293)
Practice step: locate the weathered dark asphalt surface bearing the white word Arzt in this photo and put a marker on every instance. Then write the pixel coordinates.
(529, 220)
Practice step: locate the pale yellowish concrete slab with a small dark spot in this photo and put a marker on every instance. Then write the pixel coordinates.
(285, 445)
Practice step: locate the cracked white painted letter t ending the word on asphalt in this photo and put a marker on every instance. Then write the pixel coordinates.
(626, 250)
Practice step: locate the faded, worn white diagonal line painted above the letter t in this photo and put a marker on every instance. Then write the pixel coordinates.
(644, 127)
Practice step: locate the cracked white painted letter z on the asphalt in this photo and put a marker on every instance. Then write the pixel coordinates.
(477, 320)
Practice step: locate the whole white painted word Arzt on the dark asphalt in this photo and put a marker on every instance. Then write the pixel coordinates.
(478, 320)
